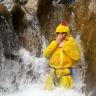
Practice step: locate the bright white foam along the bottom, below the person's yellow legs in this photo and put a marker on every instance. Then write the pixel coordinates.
(36, 90)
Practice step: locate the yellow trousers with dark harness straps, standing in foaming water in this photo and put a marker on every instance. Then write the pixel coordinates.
(63, 75)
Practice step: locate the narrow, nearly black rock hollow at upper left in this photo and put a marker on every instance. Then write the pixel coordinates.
(18, 22)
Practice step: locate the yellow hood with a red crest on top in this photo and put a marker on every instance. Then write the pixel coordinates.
(63, 28)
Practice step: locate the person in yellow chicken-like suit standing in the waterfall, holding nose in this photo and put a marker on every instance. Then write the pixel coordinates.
(63, 54)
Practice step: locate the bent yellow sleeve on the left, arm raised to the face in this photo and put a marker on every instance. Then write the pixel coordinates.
(50, 49)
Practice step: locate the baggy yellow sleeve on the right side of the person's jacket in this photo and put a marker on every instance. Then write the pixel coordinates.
(71, 49)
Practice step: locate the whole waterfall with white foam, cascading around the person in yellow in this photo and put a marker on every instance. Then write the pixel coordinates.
(23, 72)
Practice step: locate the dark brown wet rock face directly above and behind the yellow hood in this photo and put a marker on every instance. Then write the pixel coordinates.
(51, 16)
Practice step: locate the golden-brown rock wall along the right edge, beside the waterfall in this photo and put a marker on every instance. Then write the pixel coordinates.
(88, 41)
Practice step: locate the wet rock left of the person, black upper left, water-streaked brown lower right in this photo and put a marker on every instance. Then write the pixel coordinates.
(31, 40)
